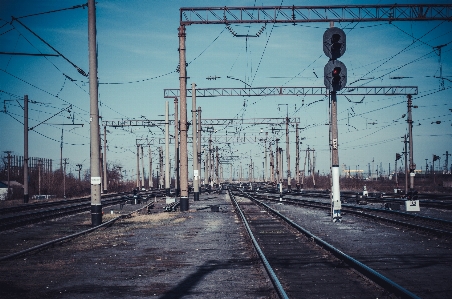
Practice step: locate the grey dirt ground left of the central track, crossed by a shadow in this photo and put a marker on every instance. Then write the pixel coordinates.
(195, 254)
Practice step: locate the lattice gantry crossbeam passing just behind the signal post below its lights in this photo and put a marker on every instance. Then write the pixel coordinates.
(292, 91)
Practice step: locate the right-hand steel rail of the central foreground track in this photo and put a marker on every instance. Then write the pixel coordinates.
(362, 268)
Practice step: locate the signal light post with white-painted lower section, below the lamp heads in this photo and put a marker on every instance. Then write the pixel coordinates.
(336, 197)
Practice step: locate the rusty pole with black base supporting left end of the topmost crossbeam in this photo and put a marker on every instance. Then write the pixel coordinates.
(184, 204)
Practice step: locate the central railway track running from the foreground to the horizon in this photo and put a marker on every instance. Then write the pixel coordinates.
(301, 263)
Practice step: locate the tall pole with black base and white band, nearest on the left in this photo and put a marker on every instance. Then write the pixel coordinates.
(96, 204)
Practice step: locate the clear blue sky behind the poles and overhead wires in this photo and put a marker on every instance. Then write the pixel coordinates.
(138, 48)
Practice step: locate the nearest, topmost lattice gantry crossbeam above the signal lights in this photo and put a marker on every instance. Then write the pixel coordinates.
(307, 14)
